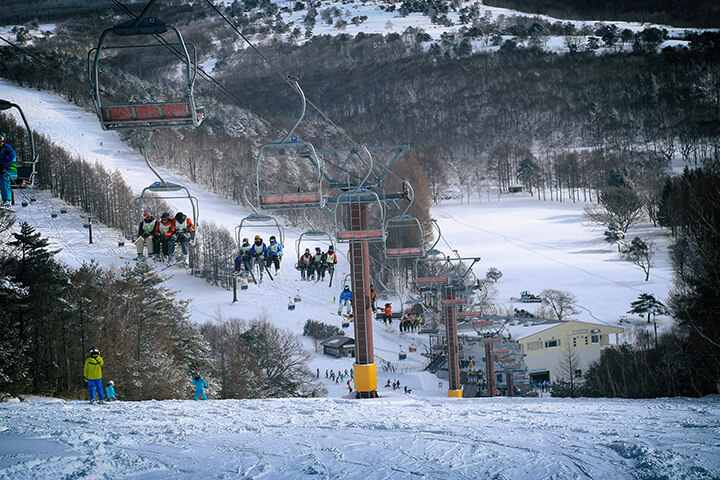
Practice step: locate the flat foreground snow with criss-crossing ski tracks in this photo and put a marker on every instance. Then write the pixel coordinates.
(390, 438)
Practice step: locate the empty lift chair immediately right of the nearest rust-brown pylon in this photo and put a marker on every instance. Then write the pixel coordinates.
(403, 233)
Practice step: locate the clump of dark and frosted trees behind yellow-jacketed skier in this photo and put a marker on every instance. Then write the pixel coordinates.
(52, 315)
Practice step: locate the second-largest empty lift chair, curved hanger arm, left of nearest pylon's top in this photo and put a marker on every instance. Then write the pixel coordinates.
(295, 154)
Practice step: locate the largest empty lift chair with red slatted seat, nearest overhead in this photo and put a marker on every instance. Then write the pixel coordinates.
(180, 110)
